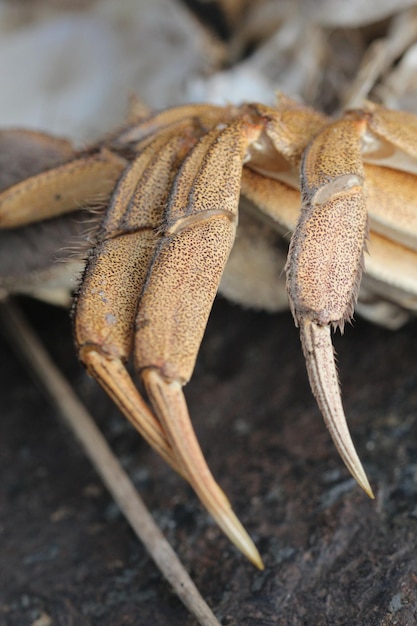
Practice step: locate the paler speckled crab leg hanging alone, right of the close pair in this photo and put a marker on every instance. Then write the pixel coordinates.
(325, 265)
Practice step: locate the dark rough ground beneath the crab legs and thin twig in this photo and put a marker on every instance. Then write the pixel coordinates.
(332, 556)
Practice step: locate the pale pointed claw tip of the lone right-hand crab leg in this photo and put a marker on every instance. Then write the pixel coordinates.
(321, 368)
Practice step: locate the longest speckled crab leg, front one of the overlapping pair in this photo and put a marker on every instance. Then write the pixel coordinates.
(200, 225)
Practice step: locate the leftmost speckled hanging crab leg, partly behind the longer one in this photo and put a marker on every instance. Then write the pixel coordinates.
(114, 278)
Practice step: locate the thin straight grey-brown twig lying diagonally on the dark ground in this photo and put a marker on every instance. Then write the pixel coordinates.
(105, 463)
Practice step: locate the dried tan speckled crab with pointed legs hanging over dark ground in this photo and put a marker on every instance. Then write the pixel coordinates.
(163, 197)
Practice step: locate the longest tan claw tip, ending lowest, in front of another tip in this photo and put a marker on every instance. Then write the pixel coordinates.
(169, 404)
